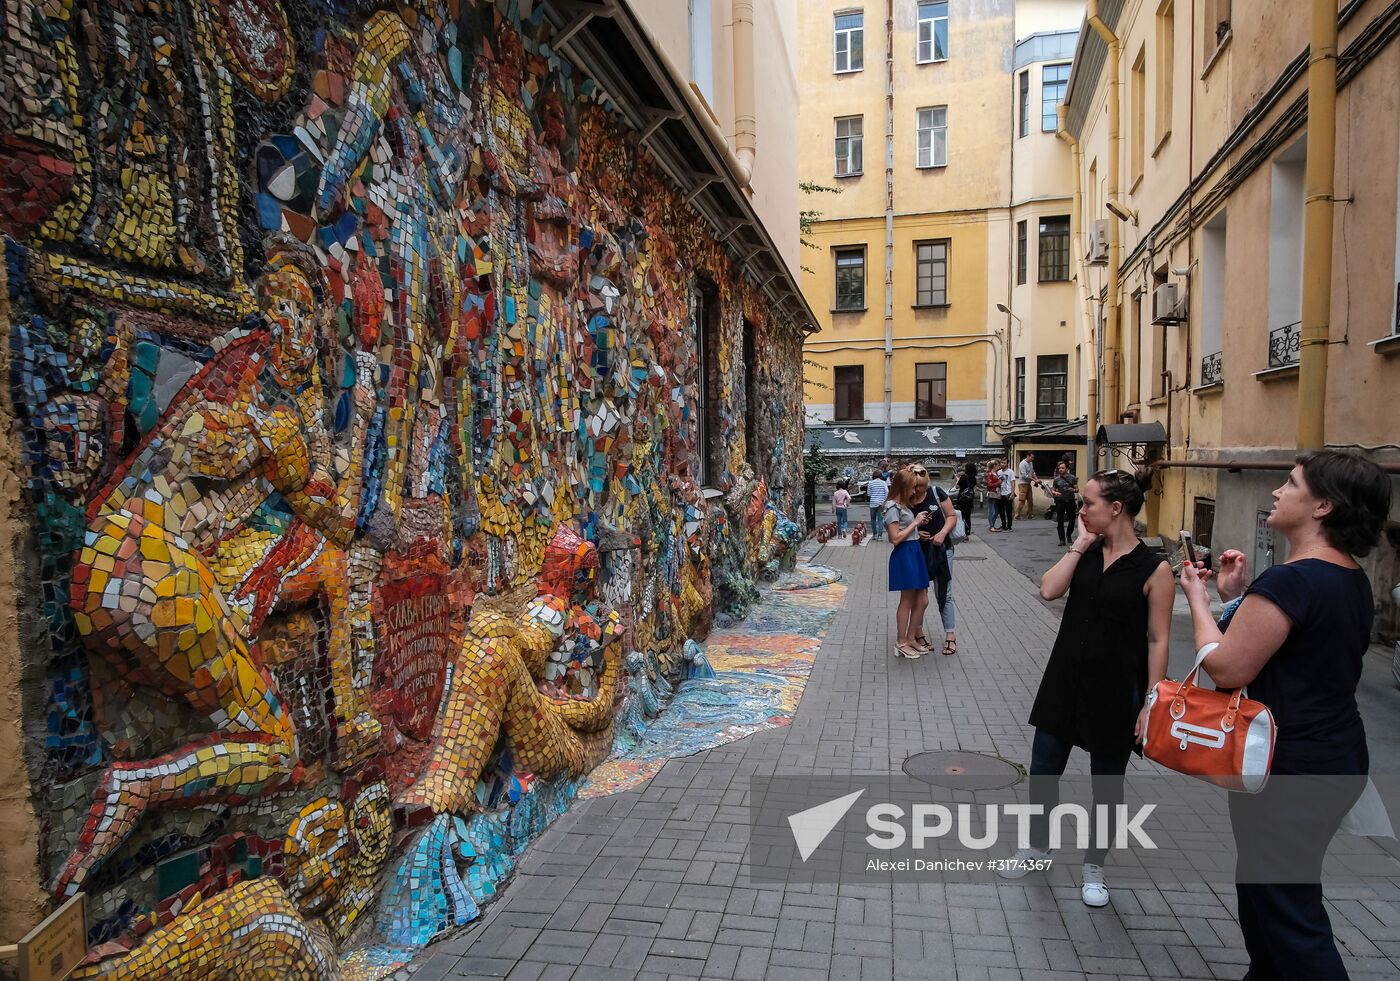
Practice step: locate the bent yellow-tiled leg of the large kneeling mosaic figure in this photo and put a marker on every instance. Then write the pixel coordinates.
(148, 604)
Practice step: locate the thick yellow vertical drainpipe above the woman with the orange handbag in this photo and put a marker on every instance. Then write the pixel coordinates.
(1318, 216)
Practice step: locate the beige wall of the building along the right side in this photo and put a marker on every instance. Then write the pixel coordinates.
(1255, 414)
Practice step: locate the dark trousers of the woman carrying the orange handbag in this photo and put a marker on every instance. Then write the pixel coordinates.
(1289, 826)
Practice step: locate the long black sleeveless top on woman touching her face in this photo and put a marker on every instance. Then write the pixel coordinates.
(1095, 684)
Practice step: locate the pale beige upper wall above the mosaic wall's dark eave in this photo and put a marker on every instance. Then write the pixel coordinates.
(776, 195)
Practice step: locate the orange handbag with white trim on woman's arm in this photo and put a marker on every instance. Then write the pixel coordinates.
(1224, 738)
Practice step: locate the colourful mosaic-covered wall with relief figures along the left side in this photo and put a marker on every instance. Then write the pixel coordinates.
(355, 358)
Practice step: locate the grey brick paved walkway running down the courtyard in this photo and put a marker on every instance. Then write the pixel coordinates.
(649, 885)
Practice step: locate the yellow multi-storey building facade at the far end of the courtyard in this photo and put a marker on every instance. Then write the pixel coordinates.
(911, 111)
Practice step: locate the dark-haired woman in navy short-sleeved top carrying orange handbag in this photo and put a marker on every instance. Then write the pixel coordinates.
(1298, 640)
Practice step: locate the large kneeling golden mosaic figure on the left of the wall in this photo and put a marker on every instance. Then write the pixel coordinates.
(184, 556)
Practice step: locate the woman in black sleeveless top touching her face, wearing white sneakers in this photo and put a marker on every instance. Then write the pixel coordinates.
(1109, 653)
